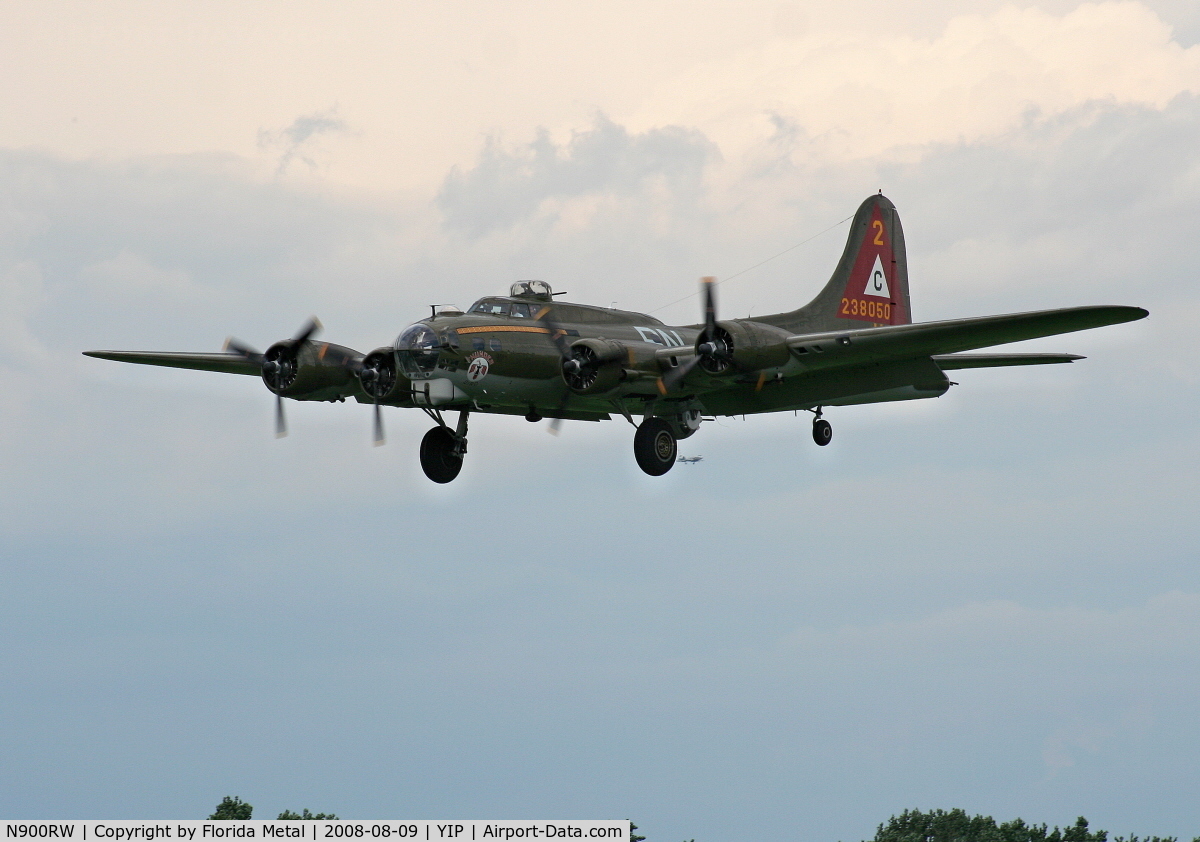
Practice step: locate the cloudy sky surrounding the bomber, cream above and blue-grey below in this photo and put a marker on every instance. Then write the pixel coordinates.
(988, 602)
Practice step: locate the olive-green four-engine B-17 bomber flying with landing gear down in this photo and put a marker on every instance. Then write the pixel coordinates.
(527, 354)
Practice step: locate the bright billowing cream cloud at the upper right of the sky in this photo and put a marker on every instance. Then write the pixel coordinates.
(850, 94)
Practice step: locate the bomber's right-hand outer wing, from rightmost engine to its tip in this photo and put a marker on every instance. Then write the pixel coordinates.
(929, 339)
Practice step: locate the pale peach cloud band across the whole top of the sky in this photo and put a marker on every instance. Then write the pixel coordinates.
(423, 87)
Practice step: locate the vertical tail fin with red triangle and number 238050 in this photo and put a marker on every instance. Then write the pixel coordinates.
(871, 285)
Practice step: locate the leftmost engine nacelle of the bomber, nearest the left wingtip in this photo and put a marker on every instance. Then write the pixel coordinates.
(310, 371)
